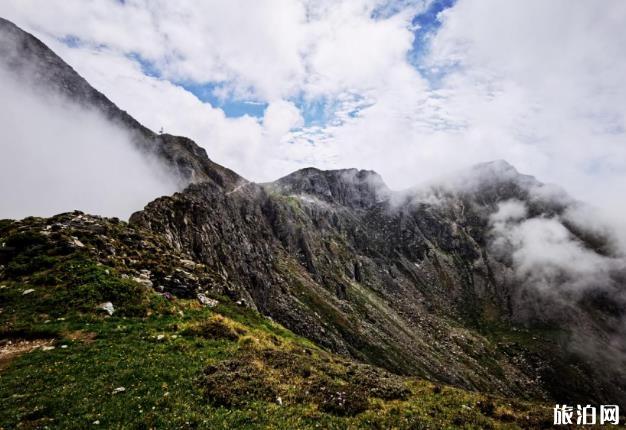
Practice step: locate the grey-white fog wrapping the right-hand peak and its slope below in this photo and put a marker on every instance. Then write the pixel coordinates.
(563, 260)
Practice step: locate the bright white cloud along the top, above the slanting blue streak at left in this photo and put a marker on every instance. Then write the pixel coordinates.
(266, 50)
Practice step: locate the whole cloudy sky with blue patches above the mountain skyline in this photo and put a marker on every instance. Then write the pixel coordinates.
(412, 89)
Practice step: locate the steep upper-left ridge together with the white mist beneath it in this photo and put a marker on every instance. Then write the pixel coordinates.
(66, 145)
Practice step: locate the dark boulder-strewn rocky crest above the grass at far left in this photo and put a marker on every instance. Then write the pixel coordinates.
(139, 255)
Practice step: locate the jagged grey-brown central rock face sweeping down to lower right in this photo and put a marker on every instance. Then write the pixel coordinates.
(393, 279)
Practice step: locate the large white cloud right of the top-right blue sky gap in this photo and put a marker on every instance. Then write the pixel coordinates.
(542, 78)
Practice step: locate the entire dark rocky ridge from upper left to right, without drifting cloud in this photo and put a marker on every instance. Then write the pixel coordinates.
(409, 281)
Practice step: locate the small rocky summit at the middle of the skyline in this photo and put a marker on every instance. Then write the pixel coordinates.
(349, 187)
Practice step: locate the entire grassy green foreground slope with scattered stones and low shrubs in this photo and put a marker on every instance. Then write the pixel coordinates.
(182, 365)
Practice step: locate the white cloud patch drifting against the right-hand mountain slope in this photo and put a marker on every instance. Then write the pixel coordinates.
(560, 276)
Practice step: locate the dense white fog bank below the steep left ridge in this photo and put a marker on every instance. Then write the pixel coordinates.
(58, 157)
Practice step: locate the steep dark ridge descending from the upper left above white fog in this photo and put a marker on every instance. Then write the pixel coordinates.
(28, 58)
